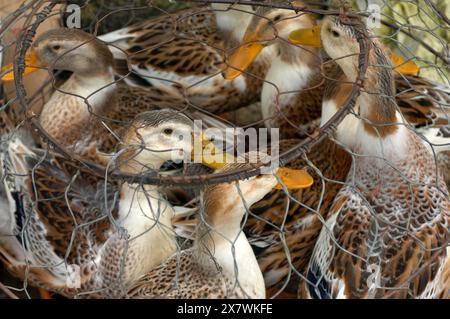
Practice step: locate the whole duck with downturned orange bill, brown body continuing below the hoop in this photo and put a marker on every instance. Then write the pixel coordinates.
(299, 215)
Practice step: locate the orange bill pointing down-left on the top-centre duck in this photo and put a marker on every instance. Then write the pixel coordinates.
(240, 59)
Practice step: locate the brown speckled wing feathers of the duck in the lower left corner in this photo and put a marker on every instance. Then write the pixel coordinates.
(67, 224)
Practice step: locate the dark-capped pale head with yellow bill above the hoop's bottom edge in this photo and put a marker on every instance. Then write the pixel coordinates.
(158, 136)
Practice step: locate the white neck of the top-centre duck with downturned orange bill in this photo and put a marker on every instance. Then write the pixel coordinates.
(291, 70)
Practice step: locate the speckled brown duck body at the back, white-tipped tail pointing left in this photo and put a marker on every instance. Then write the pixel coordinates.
(186, 51)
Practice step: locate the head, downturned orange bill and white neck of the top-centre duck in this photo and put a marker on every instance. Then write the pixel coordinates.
(292, 70)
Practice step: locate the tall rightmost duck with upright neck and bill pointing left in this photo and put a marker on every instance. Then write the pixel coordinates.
(386, 234)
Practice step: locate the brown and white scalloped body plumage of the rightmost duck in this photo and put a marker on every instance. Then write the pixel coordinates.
(390, 236)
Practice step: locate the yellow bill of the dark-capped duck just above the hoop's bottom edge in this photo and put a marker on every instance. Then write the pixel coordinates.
(208, 154)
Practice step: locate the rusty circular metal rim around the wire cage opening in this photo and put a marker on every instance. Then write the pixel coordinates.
(154, 178)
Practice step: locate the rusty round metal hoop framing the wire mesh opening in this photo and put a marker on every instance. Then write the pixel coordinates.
(152, 178)
